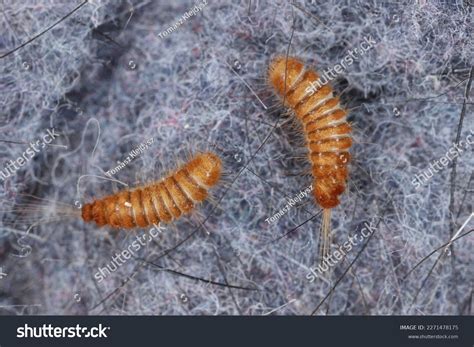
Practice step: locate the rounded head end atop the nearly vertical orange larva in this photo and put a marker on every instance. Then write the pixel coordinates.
(282, 69)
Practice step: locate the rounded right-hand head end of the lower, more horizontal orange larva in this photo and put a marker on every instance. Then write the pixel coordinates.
(206, 168)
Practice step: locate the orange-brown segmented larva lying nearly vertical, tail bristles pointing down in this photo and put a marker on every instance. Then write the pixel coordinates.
(326, 130)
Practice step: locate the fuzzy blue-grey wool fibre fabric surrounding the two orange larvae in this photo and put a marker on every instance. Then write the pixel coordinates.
(105, 79)
